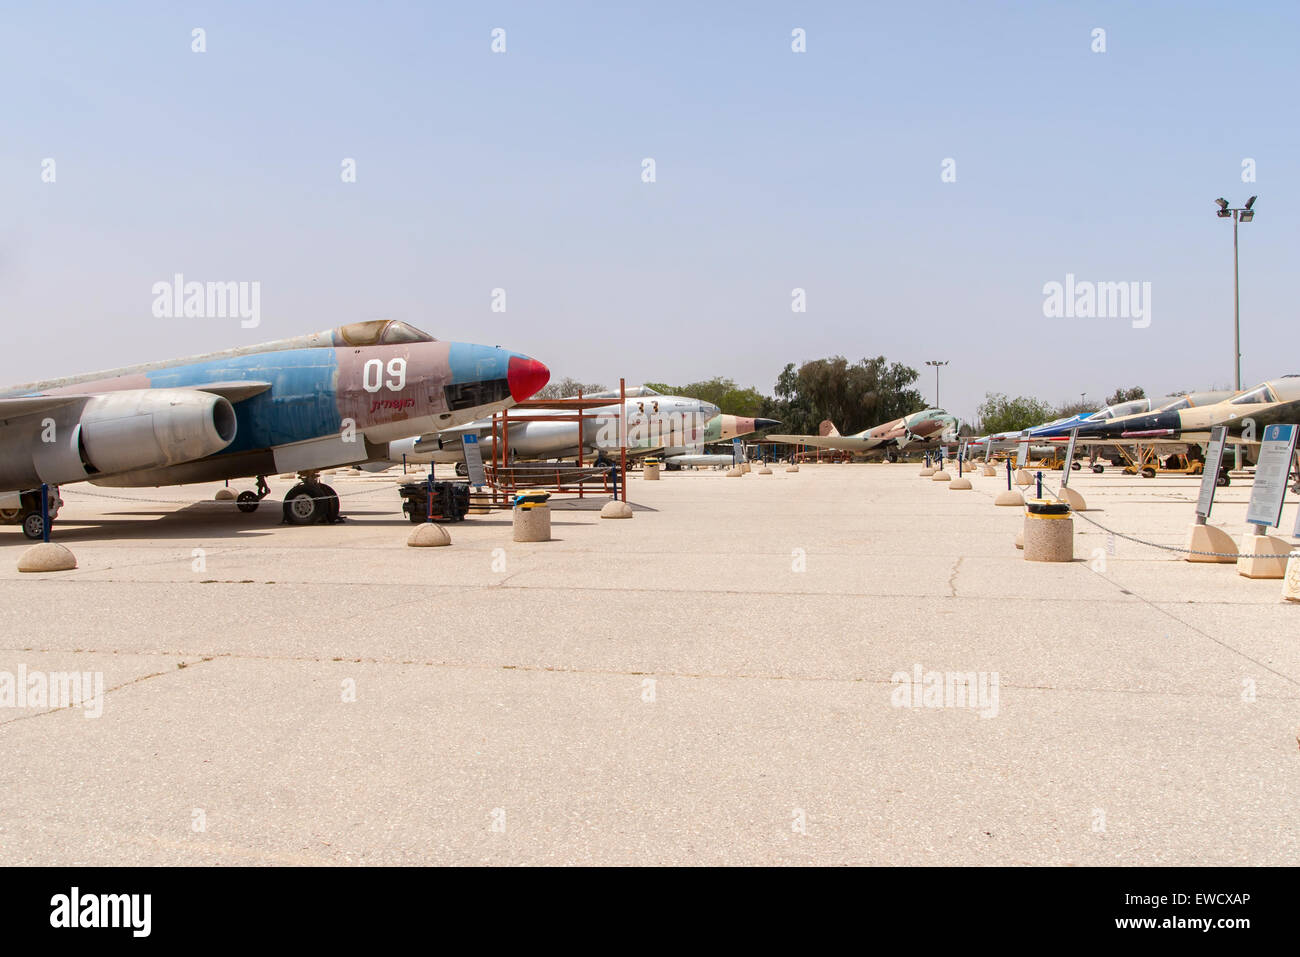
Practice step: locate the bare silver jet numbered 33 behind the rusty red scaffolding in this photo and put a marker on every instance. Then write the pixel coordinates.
(655, 422)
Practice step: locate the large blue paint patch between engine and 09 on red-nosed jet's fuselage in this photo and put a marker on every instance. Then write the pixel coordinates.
(302, 402)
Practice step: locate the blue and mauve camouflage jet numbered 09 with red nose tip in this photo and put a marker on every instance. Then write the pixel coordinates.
(300, 405)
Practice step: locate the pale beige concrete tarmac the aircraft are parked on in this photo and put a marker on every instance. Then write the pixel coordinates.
(717, 681)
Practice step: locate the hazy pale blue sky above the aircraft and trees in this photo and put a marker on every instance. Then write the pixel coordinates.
(523, 171)
